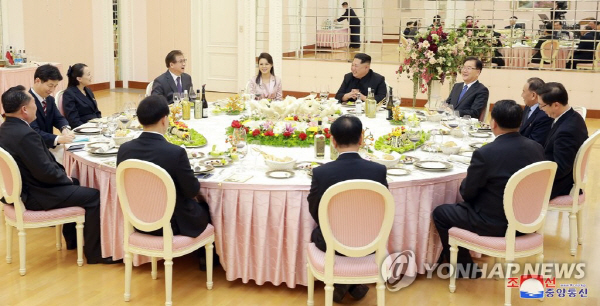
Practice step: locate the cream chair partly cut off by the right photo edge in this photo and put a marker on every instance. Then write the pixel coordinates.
(573, 202)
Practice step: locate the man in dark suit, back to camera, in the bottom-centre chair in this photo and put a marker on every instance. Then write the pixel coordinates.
(346, 134)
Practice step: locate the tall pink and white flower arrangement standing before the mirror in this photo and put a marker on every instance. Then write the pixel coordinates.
(433, 55)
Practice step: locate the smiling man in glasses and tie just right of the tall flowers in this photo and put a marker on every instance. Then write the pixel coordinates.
(469, 97)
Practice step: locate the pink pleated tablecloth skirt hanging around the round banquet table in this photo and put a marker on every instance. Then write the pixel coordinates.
(262, 230)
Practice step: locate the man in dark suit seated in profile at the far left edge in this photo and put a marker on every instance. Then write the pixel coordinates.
(45, 183)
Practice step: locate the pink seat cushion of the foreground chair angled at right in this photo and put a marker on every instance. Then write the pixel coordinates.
(523, 243)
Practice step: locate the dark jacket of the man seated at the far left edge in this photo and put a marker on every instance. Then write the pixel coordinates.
(43, 178)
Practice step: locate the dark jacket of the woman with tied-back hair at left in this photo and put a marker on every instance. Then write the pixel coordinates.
(80, 108)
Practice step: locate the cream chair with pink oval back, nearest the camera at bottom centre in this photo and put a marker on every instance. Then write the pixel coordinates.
(356, 218)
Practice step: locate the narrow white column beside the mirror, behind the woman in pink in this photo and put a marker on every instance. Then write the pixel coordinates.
(275, 34)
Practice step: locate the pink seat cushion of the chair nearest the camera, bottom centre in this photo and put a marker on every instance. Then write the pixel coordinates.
(344, 266)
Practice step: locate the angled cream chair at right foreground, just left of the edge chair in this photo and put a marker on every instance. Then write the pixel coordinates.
(525, 204)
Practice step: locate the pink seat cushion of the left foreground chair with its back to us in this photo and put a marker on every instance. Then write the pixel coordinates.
(149, 242)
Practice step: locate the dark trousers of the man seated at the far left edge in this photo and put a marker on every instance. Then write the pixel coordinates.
(88, 199)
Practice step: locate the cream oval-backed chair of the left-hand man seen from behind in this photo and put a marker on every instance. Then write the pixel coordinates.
(147, 195)
